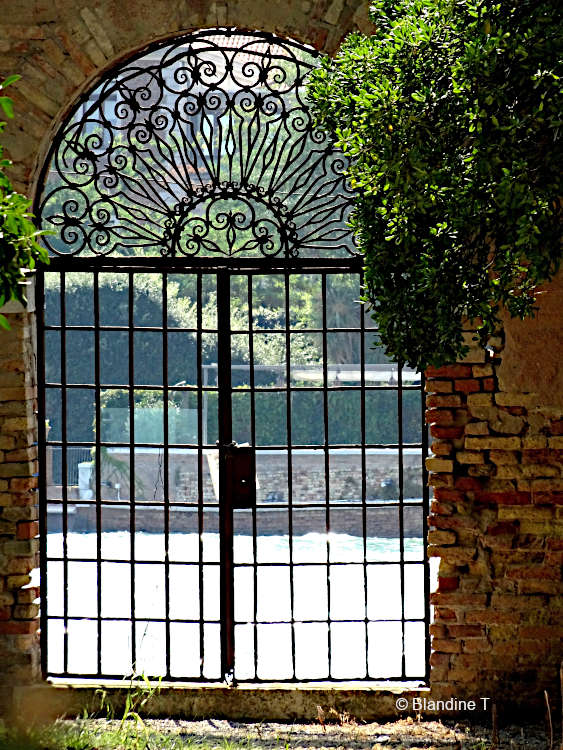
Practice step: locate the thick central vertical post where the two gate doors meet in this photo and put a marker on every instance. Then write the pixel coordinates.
(225, 500)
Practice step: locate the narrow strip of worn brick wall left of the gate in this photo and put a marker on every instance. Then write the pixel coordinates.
(19, 547)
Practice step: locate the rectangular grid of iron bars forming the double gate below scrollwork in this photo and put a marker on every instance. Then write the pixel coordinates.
(219, 627)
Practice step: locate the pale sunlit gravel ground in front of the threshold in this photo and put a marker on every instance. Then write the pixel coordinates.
(406, 733)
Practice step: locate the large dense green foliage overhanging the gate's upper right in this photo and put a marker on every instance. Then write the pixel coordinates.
(451, 113)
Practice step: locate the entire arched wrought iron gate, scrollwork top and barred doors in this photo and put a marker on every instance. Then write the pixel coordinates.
(253, 507)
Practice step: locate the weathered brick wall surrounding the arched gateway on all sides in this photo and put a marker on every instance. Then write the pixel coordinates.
(496, 422)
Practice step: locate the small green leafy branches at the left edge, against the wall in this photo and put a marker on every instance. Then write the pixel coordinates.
(18, 246)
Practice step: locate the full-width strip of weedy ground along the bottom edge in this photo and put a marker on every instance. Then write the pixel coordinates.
(134, 733)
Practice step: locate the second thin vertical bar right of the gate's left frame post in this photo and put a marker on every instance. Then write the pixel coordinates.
(98, 464)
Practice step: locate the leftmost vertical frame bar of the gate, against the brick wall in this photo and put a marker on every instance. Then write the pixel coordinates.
(42, 455)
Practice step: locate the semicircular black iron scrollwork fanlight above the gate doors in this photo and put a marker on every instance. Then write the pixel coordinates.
(202, 146)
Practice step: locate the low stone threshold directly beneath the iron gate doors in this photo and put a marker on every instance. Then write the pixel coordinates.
(365, 701)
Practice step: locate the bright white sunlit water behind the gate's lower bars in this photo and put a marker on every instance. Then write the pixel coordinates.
(372, 650)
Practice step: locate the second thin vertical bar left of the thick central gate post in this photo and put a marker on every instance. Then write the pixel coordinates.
(165, 483)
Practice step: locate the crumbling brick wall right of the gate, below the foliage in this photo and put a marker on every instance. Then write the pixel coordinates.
(497, 515)
